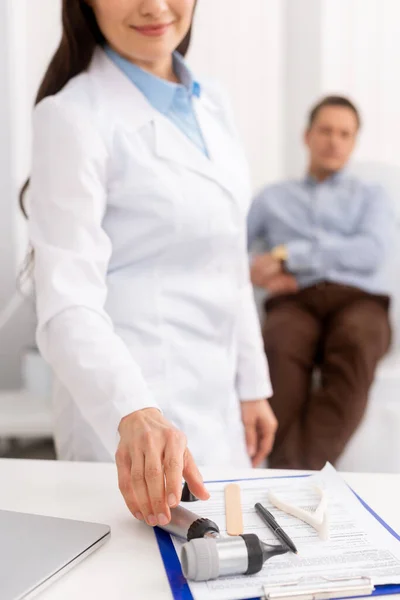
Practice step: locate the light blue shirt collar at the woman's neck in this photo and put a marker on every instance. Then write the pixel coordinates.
(159, 92)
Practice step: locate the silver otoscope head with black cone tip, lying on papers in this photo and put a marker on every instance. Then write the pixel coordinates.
(208, 558)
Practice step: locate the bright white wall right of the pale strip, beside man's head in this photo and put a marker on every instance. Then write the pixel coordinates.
(361, 58)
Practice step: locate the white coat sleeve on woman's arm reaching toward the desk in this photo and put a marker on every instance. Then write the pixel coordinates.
(71, 254)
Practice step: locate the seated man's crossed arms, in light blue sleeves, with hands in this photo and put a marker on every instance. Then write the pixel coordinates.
(361, 251)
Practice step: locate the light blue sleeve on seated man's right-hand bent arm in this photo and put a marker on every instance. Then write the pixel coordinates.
(361, 251)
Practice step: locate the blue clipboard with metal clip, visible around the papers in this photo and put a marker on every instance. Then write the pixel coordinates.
(181, 590)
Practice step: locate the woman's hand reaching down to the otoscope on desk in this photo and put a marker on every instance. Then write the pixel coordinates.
(152, 458)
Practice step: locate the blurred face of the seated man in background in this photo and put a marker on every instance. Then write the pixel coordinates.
(331, 138)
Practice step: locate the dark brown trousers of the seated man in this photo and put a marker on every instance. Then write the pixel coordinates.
(344, 332)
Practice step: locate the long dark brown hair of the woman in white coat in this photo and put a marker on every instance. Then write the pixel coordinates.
(80, 36)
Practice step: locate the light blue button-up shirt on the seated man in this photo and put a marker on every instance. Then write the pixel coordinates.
(339, 230)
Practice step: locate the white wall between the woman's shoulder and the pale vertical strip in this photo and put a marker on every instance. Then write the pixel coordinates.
(241, 45)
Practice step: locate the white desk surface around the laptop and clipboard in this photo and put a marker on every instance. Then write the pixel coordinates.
(128, 566)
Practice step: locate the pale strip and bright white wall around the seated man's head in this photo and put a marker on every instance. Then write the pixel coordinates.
(356, 50)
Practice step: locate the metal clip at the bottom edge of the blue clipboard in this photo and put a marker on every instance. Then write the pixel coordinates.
(338, 588)
